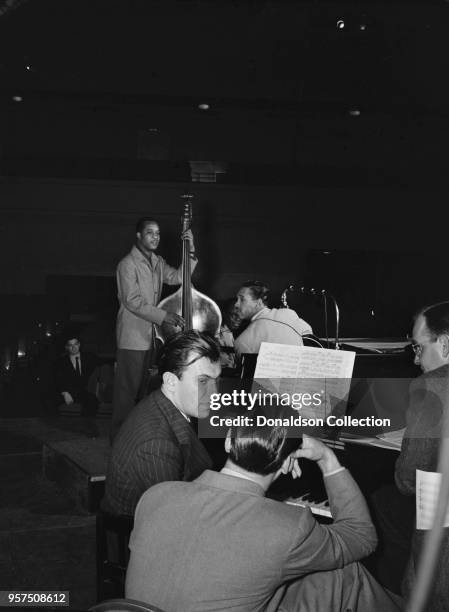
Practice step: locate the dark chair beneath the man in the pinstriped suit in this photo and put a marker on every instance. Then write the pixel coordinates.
(113, 534)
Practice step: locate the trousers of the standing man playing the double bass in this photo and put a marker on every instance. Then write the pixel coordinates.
(127, 384)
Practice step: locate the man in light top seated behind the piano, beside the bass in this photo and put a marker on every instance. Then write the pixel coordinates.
(281, 325)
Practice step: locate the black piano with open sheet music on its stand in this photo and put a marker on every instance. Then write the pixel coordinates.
(378, 363)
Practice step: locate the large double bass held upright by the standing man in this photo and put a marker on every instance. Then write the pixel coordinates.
(198, 310)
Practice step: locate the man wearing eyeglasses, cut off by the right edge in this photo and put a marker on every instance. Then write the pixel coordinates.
(428, 405)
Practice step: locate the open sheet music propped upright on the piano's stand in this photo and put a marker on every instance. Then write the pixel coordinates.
(291, 369)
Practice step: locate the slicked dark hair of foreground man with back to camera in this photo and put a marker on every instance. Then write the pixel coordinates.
(261, 450)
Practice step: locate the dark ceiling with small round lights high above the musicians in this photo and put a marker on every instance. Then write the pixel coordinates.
(324, 86)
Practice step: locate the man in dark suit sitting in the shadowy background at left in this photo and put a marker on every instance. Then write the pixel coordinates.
(72, 374)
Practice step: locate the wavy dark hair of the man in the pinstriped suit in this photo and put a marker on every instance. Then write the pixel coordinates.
(177, 352)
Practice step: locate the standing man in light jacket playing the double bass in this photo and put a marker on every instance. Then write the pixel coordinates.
(140, 276)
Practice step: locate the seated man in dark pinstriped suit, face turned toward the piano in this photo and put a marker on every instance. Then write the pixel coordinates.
(157, 442)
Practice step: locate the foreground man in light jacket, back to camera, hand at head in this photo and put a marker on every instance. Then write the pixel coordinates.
(218, 544)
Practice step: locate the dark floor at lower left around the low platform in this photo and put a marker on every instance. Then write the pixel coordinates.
(47, 539)
